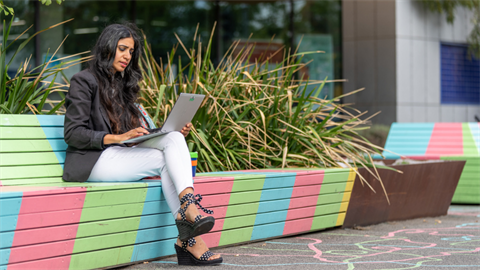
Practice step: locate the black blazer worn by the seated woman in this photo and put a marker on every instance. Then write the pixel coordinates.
(86, 123)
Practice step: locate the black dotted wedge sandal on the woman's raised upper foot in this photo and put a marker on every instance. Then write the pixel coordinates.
(201, 225)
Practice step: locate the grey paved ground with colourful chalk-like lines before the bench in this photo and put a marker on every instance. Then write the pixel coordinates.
(448, 242)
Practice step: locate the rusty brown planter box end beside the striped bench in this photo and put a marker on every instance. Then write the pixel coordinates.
(423, 190)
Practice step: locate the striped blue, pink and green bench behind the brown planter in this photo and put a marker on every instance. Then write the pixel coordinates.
(446, 141)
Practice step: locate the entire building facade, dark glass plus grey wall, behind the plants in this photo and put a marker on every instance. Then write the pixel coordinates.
(411, 62)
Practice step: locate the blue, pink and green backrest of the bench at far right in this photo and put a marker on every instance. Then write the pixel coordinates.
(433, 139)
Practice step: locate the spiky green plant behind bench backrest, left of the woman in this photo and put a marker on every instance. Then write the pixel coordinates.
(30, 88)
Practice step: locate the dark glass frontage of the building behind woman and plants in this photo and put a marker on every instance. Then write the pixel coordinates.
(316, 22)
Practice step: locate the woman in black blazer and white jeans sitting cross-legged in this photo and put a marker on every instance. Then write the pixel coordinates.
(101, 114)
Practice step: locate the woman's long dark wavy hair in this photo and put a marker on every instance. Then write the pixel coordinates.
(118, 92)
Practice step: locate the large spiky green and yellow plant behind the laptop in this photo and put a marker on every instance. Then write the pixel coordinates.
(255, 115)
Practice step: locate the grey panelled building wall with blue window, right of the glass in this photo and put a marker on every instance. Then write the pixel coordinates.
(413, 64)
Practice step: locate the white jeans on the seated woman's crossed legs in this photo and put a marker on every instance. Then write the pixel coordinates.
(165, 155)
